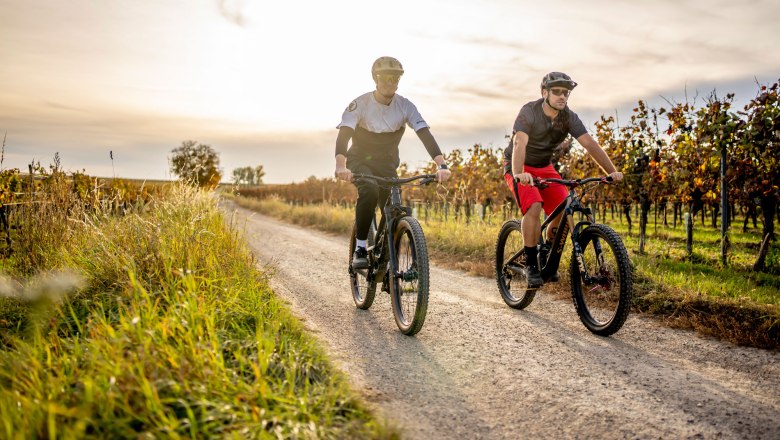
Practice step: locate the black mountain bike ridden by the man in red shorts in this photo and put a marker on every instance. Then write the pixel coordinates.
(601, 275)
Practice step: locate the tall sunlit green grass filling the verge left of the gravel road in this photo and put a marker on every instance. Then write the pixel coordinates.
(160, 325)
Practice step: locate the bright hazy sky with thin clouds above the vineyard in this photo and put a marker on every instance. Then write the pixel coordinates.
(265, 82)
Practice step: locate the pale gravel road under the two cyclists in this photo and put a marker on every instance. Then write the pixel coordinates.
(480, 370)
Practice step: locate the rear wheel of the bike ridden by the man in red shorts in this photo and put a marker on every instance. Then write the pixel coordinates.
(510, 266)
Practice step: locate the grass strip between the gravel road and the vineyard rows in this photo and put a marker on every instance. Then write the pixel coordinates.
(732, 303)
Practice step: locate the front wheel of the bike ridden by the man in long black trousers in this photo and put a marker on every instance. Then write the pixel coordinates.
(409, 276)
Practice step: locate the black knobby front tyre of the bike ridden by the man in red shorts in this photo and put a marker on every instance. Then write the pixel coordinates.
(610, 242)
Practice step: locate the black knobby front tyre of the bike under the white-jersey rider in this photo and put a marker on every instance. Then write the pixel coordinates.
(408, 321)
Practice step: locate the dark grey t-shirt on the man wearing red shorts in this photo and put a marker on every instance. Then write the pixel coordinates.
(542, 136)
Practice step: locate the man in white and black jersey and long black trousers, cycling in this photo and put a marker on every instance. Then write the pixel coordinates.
(375, 122)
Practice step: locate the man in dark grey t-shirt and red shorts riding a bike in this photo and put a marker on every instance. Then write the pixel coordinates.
(540, 126)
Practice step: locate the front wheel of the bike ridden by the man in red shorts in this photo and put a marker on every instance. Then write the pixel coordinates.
(603, 295)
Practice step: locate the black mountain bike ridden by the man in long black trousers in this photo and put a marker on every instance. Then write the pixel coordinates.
(401, 268)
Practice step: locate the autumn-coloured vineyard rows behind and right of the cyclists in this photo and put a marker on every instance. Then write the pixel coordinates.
(673, 158)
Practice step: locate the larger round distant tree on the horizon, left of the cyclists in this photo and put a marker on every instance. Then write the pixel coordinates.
(196, 163)
